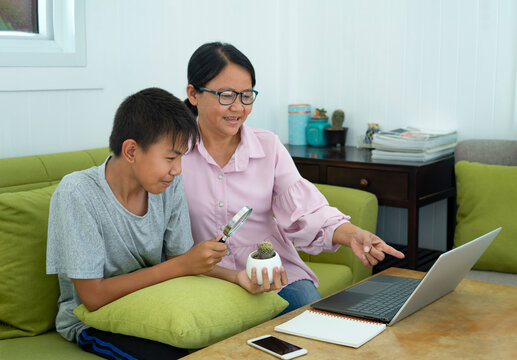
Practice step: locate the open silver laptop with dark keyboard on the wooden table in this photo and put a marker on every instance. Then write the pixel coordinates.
(389, 299)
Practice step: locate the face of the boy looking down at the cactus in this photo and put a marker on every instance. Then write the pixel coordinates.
(156, 167)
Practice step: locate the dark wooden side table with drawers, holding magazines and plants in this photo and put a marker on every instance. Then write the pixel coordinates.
(402, 184)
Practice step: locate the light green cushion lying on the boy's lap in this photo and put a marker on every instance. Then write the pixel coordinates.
(188, 312)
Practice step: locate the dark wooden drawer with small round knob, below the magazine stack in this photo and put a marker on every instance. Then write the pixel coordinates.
(386, 185)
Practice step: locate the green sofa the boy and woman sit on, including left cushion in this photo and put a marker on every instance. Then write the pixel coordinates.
(28, 296)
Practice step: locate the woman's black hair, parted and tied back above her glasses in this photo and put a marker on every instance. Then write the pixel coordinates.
(209, 60)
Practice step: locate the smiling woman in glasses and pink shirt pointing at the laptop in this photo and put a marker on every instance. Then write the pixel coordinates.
(233, 165)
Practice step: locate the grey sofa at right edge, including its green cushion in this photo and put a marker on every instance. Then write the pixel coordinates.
(486, 183)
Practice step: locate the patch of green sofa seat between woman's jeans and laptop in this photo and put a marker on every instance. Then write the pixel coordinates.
(332, 277)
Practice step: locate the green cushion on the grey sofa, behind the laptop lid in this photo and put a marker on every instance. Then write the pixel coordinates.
(487, 199)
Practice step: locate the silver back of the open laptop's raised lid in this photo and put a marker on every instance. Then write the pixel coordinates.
(445, 274)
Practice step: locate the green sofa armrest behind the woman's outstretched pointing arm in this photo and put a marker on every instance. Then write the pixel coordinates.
(362, 207)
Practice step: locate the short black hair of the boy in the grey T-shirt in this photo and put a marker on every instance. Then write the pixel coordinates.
(150, 114)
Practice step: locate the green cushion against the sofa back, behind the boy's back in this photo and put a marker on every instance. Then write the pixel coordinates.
(28, 297)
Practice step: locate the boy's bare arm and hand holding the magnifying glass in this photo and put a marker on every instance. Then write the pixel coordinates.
(200, 259)
